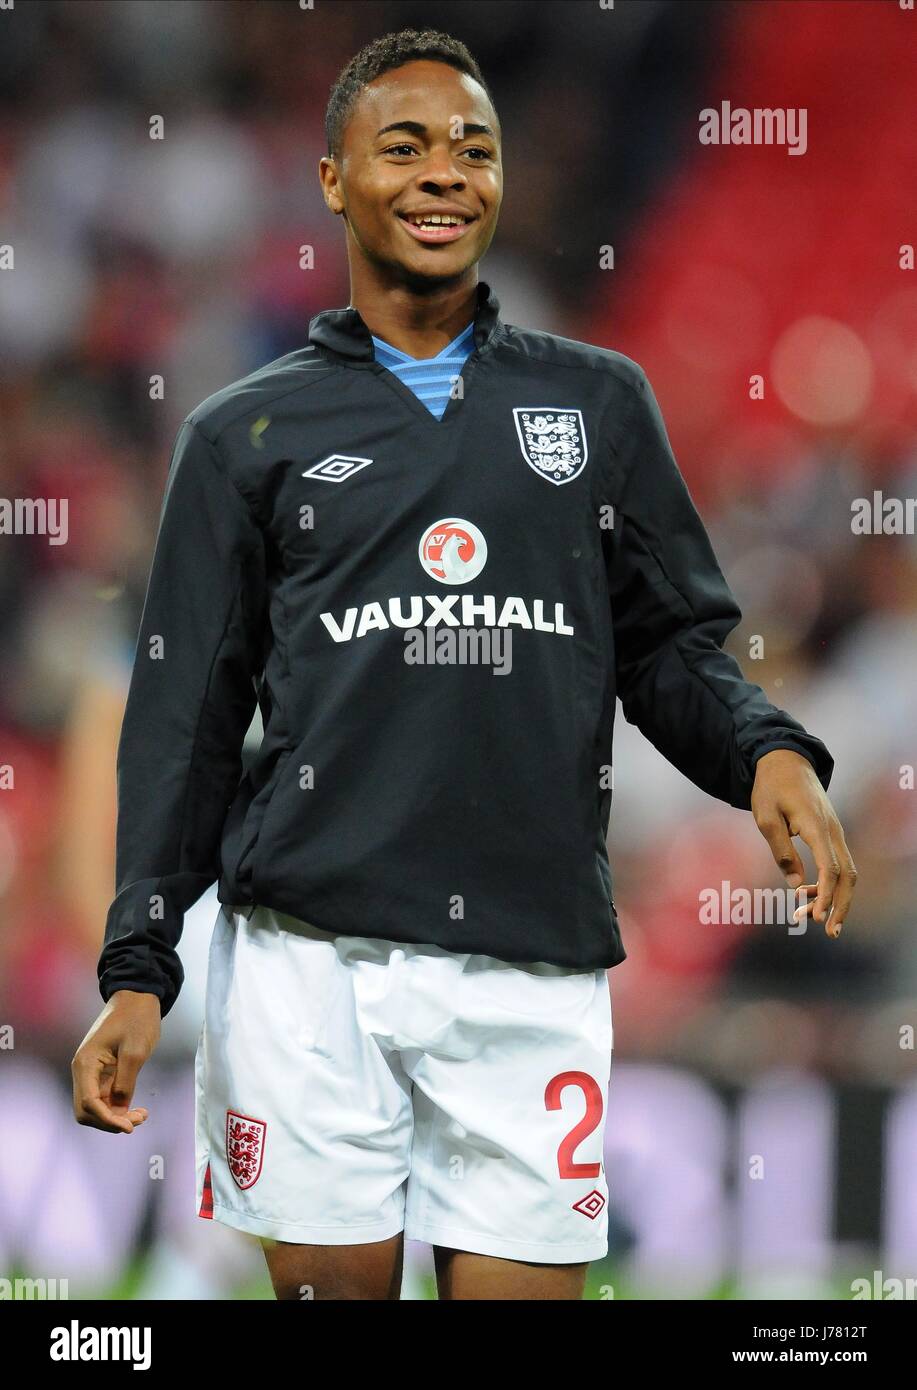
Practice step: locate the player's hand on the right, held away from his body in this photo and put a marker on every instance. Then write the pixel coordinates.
(788, 800)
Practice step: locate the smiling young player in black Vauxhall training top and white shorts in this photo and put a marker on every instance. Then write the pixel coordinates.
(408, 1024)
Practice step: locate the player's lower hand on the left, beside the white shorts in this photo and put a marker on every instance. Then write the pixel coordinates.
(108, 1063)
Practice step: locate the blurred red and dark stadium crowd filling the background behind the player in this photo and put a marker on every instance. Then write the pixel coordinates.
(151, 273)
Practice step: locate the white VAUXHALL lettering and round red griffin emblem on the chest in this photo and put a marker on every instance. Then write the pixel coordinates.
(452, 551)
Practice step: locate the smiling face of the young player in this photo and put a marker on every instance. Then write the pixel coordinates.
(423, 141)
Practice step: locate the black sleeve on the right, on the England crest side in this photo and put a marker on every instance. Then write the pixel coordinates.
(672, 614)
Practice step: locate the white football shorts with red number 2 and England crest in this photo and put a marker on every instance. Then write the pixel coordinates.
(349, 1089)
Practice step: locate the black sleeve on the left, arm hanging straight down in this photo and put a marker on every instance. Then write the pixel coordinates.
(192, 696)
